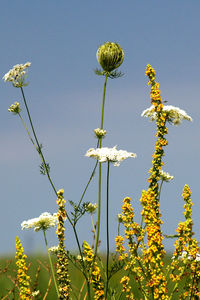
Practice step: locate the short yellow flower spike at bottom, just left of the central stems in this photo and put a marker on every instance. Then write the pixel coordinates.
(96, 279)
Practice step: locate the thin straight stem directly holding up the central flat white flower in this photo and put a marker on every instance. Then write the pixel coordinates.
(107, 227)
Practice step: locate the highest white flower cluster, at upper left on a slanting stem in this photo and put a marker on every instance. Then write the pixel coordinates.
(17, 75)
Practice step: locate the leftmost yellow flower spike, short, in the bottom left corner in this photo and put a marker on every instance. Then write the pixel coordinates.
(22, 278)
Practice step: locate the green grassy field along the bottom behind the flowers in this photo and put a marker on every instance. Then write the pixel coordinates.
(40, 280)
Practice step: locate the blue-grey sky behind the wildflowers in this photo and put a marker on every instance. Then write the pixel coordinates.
(60, 39)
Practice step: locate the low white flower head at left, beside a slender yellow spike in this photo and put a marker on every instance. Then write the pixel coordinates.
(44, 221)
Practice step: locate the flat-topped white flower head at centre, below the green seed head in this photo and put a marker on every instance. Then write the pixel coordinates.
(109, 154)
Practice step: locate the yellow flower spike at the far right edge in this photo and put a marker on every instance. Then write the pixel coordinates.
(186, 257)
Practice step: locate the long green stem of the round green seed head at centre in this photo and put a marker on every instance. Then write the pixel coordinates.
(99, 186)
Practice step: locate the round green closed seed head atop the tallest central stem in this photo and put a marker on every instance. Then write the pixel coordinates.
(110, 56)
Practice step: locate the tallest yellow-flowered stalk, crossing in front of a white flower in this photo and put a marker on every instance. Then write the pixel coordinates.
(154, 252)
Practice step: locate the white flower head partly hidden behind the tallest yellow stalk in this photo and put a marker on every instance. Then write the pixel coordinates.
(175, 115)
